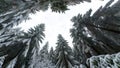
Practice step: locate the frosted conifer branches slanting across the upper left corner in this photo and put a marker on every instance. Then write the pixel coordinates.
(14, 12)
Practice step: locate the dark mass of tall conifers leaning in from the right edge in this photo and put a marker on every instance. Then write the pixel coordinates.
(97, 34)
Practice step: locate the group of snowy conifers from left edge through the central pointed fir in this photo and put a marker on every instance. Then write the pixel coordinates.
(20, 49)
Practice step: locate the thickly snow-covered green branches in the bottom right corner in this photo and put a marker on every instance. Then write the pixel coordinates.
(104, 61)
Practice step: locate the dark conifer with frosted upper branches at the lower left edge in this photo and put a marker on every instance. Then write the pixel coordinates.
(10, 46)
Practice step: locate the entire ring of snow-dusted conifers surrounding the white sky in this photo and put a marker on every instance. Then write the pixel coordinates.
(93, 35)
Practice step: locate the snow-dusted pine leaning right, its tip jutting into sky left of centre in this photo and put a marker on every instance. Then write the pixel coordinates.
(36, 35)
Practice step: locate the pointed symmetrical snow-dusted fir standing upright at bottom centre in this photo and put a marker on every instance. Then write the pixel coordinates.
(64, 54)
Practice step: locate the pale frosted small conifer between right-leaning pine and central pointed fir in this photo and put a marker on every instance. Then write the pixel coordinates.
(42, 60)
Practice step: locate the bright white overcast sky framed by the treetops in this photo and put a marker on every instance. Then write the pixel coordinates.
(59, 23)
